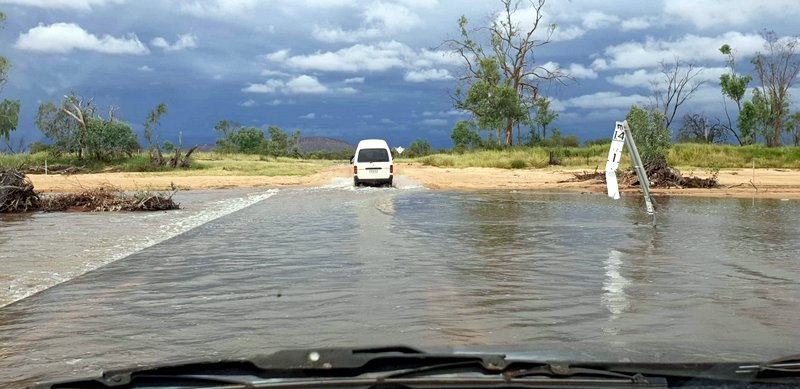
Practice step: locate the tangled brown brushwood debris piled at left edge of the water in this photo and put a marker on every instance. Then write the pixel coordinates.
(17, 195)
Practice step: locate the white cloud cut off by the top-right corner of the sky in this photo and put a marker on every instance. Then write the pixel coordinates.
(712, 13)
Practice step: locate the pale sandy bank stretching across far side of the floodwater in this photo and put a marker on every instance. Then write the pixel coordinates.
(761, 183)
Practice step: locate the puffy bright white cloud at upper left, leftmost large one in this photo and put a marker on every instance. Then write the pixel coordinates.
(66, 37)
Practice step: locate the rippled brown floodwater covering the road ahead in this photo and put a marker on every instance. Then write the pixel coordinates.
(336, 266)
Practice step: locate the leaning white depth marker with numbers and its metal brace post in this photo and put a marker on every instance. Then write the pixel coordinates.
(622, 137)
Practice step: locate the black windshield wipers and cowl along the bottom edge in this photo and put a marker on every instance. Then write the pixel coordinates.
(404, 367)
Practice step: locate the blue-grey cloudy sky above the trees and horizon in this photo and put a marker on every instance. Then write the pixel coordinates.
(353, 69)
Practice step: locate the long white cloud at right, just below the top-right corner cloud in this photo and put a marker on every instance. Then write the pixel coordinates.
(689, 48)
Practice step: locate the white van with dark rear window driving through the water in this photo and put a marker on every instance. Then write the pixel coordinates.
(372, 163)
